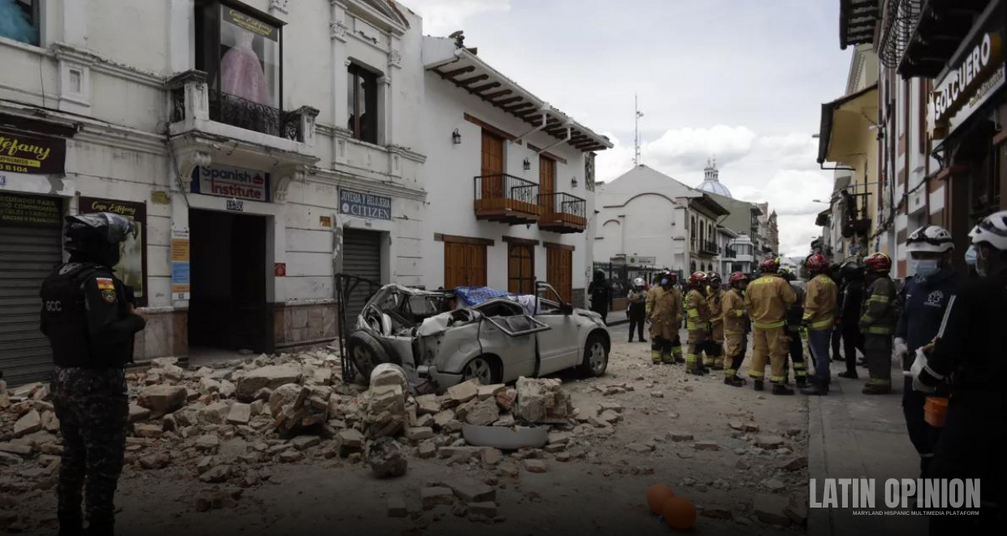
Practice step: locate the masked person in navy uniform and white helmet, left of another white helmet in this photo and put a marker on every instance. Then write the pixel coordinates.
(927, 298)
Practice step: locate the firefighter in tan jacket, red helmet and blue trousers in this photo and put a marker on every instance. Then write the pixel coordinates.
(819, 320)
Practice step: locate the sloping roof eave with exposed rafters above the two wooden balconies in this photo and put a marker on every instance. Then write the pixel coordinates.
(469, 72)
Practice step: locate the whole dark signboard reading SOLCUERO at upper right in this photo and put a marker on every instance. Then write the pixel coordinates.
(968, 86)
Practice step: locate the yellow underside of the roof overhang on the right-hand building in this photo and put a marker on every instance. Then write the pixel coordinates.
(845, 123)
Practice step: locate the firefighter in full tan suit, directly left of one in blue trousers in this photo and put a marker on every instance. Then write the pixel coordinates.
(767, 300)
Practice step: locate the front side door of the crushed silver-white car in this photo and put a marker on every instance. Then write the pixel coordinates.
(558, 348)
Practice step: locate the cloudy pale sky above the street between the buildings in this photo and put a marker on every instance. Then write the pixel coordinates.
(742, 81)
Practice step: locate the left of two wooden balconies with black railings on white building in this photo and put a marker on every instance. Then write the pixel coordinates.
(507, 199)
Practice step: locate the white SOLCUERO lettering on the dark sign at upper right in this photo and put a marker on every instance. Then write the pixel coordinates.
(961, 84)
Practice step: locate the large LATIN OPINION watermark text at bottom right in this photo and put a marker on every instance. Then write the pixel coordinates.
(918, 494)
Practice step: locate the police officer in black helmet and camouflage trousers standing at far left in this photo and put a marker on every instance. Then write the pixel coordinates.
(90, 319)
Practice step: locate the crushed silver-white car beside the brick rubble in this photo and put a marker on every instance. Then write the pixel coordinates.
(498, 341)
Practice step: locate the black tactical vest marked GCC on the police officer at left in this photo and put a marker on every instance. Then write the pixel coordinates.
(65, 316)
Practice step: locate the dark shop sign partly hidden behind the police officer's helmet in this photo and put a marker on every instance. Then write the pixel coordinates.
(132, 267)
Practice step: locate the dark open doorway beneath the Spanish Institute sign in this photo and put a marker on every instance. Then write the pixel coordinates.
(228, 307)
